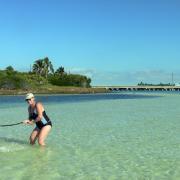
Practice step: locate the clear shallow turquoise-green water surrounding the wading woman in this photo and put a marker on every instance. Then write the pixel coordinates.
(115, 136)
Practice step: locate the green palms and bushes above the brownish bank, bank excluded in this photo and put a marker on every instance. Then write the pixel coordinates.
(42, 73)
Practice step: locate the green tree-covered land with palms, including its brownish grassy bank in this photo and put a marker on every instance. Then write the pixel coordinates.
(42, 78)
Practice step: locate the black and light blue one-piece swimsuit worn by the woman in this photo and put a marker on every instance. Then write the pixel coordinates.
(43, 122)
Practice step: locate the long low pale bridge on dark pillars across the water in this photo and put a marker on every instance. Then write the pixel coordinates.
(140, 88)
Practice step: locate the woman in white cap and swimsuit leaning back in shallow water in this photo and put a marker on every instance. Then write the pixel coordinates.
(38, 116)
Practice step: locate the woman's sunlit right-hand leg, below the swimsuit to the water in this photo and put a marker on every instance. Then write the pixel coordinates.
(43, 134)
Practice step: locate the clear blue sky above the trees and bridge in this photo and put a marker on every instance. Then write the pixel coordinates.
(111, 41)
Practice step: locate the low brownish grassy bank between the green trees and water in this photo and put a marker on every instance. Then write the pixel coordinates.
(55, 90)
